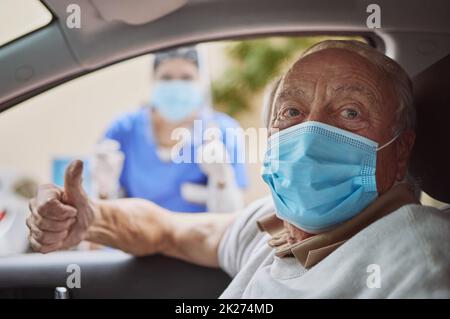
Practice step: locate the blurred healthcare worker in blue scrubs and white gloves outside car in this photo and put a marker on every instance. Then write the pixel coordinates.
(179, 98)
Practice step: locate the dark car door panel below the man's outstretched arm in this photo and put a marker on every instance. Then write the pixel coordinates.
(107, 274)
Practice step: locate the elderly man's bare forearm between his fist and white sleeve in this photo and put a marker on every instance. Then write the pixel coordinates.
(140, 227)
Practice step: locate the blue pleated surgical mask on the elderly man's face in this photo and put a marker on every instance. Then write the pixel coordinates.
(320, 175)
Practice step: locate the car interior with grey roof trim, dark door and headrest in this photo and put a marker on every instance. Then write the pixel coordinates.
(415, 33)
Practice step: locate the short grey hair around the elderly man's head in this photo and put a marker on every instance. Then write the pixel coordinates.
(406, 113)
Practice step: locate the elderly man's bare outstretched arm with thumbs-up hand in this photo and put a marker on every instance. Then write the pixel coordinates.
(60, 219)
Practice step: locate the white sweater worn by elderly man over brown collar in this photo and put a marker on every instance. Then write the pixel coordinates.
(406, 254)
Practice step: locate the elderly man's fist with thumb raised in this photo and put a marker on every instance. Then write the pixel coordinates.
(60, 218)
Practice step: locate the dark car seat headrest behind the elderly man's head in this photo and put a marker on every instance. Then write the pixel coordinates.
(430, 162)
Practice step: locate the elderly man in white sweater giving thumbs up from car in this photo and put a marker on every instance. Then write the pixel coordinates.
(343, 220)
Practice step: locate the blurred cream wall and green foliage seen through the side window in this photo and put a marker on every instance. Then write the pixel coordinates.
(69, 120)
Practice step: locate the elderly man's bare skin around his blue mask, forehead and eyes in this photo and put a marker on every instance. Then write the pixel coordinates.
(340, 88)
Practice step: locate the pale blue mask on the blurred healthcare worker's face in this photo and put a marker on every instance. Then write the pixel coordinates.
(176, 99)
